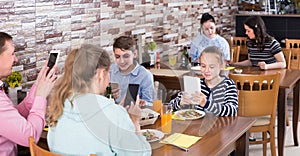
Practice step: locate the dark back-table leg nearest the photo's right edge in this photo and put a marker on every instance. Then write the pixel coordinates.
(295, 112)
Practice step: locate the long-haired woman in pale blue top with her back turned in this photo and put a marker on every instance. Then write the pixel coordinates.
(82, 120)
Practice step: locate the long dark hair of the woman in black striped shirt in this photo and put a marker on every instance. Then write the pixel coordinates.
(261, 36)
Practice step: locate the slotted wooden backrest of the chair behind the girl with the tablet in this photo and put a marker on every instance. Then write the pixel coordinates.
(257, 94)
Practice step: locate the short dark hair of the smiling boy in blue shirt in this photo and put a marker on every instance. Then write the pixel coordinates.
(125, 43)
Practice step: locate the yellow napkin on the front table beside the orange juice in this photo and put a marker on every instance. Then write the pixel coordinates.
(181, 140)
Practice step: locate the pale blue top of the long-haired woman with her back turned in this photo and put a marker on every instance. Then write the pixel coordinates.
(96, 125)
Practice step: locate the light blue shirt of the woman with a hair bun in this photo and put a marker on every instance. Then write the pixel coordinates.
(200, 42)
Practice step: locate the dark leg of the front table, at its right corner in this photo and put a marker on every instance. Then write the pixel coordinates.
(242, 145)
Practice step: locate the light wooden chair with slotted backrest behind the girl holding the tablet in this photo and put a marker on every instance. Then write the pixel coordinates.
(257, 95)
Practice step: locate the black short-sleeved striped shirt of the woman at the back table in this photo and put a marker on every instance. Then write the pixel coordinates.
(271, 48)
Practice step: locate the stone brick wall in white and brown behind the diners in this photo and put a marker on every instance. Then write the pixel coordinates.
(39, 26)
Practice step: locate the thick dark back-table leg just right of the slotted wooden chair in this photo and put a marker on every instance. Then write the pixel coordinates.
(281, 122)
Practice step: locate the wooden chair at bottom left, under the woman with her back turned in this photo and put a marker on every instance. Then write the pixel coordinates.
(35, 150)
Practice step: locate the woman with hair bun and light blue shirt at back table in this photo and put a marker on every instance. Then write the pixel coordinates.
(208, 37)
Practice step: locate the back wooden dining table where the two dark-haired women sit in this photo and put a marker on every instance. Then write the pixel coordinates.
(289, 81)
